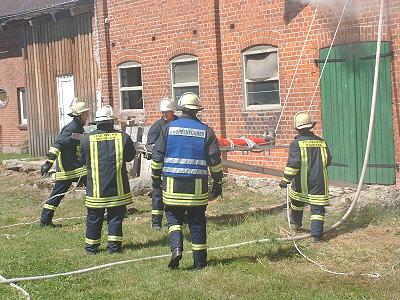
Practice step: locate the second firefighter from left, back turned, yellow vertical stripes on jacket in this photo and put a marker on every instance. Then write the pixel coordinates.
(105, 152)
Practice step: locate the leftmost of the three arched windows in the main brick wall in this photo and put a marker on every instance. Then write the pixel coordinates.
(130, 85)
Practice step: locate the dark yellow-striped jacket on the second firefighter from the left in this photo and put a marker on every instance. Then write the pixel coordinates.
(105, 152)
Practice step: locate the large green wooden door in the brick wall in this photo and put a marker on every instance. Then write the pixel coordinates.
(346, 90)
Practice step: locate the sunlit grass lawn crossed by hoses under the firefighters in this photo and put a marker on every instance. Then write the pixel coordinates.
(368, 242)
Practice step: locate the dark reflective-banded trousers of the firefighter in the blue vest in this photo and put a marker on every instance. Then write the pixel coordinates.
(197, 226)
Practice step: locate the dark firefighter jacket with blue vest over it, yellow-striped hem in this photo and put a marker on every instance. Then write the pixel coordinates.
(182, 189)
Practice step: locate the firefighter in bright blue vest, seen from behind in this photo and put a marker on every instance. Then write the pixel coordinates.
(181, 156)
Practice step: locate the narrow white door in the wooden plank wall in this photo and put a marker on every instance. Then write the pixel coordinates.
(66, 93)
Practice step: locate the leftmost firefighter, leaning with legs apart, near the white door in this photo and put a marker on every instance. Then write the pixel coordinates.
(68, 167)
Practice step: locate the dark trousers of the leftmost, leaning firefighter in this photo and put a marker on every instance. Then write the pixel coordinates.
(59, 189)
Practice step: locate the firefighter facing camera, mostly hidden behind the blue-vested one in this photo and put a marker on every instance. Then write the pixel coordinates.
(167, 109)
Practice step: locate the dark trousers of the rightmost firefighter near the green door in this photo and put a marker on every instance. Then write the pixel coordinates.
(317, 216)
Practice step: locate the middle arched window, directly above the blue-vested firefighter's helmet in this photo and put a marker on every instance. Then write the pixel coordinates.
(185, 75)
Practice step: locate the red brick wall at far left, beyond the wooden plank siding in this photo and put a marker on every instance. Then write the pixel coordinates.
(12, 135)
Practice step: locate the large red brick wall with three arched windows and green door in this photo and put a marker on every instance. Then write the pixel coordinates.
(152, 32)
